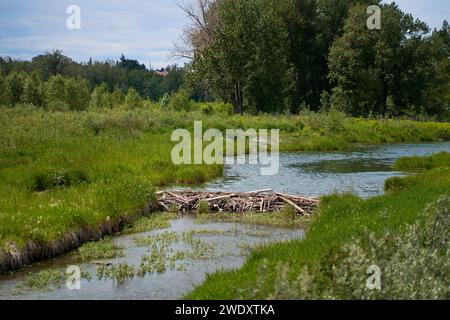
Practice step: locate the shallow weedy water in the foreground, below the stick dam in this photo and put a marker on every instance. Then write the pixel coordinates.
(232, 243)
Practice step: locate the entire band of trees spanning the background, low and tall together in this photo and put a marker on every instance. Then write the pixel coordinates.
(262, 56)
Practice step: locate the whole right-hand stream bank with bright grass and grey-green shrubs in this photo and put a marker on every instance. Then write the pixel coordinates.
(404, 232)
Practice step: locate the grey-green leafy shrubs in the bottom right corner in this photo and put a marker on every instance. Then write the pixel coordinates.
(413, 265)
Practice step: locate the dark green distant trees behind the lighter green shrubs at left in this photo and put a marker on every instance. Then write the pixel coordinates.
(122, 74)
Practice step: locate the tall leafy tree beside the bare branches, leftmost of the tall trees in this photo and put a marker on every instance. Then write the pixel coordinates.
(245, 60)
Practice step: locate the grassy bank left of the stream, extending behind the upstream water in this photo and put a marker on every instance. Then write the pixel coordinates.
(67, 177)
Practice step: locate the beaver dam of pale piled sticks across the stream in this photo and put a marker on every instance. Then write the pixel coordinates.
(255, 201)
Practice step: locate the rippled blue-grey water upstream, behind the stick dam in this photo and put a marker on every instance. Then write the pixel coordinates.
(362, 171)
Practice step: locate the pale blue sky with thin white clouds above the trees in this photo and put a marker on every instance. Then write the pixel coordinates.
(145, 30)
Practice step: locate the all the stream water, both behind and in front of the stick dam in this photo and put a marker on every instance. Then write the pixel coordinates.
(362, 171)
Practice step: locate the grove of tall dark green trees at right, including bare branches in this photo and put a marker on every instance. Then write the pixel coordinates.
(283, 56)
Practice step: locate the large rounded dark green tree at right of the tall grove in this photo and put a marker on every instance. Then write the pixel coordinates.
(375, 69)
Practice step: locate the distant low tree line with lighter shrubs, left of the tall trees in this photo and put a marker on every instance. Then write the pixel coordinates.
(54, 77)
